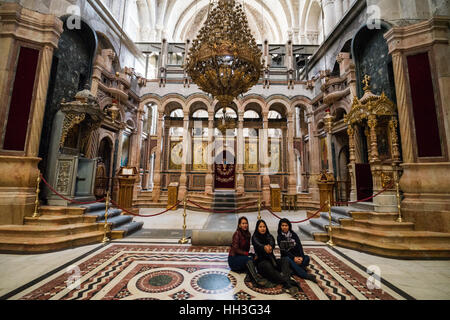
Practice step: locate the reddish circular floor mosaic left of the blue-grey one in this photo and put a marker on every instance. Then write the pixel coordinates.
(159, 281)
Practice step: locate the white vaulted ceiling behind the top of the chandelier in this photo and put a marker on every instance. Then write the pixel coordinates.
(178, 20)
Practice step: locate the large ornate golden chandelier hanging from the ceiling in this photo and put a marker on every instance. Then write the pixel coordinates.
(225, 60)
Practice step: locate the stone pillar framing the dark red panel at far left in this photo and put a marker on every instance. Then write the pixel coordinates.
(23, 27)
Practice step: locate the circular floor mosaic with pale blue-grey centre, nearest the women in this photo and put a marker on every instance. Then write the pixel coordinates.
(213, 282)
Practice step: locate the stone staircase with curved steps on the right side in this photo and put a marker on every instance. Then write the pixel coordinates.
(377, 233)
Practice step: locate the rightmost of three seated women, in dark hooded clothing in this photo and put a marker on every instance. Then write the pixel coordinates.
(291, 248)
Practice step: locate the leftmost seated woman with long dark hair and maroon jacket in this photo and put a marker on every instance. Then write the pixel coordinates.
(239, 258)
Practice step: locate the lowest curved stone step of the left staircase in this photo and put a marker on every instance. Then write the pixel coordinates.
(42, 245)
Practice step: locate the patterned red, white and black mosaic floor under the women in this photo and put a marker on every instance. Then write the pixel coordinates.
(122, 271)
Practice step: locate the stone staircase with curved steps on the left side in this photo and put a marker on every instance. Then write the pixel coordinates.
(59, 228)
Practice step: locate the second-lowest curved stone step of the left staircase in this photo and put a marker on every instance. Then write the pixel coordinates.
(37, 231)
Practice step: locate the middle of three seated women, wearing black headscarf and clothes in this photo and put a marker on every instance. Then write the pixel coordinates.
(275, 270)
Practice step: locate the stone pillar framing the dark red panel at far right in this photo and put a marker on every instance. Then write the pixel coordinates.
(425, 190)
